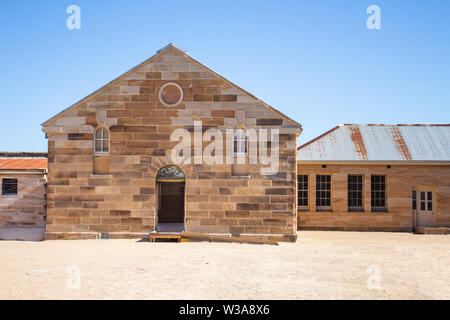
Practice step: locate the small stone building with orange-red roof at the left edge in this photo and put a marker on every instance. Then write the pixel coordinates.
(23, 193)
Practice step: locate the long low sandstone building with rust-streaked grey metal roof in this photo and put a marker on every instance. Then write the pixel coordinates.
(375, 177)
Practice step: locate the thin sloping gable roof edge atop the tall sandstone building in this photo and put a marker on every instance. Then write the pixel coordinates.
(160, 52)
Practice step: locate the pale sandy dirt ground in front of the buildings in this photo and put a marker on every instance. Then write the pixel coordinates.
(321, 265)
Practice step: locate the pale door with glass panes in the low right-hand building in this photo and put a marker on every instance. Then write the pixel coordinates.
(423, 203)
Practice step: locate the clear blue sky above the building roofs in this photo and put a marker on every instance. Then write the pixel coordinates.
(315, 61)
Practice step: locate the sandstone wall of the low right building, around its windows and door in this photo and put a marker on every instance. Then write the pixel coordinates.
(401, 180)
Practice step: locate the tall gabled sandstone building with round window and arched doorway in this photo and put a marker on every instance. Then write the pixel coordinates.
(111, 171)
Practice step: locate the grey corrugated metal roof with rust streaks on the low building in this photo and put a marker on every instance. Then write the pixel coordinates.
(357, 142)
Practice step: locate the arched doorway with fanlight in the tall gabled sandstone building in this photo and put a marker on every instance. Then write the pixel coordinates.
(170, 183)
